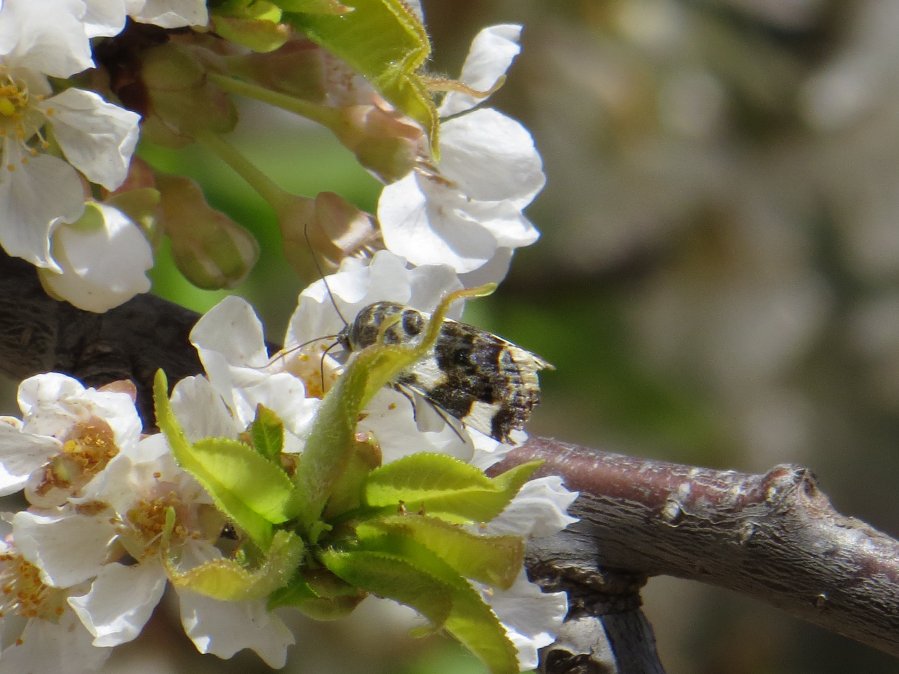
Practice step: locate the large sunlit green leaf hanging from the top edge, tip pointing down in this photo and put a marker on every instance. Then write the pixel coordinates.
(385, 42)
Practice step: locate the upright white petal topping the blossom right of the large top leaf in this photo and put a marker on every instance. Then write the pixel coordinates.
(489, 57)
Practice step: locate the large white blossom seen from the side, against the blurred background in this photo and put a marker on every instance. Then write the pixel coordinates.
(467, 212)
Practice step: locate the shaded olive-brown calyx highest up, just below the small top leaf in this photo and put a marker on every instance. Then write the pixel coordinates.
(182, 103)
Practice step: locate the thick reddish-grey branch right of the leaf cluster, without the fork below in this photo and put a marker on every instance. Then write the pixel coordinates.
(775, 536)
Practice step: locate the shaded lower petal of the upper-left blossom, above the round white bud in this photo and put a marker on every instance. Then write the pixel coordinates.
(34, 196)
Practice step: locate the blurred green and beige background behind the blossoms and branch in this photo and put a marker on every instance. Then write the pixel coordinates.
(717, 282)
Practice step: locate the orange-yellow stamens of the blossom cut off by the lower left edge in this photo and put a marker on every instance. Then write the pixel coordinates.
(23, 593)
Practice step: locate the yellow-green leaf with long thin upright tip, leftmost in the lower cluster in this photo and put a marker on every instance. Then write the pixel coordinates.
(244, 485)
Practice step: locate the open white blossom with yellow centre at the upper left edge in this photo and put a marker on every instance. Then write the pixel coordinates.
(38, 190)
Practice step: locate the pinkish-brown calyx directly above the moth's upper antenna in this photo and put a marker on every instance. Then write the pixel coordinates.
(334, 227)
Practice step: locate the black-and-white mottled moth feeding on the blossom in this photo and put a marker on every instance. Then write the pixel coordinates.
(481, 380)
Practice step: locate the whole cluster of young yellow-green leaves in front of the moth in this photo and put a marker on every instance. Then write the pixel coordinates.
(343, 525)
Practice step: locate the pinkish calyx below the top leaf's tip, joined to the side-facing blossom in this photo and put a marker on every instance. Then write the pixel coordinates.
(384, 141)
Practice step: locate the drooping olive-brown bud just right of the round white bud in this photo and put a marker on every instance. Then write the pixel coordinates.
(210, 249)
